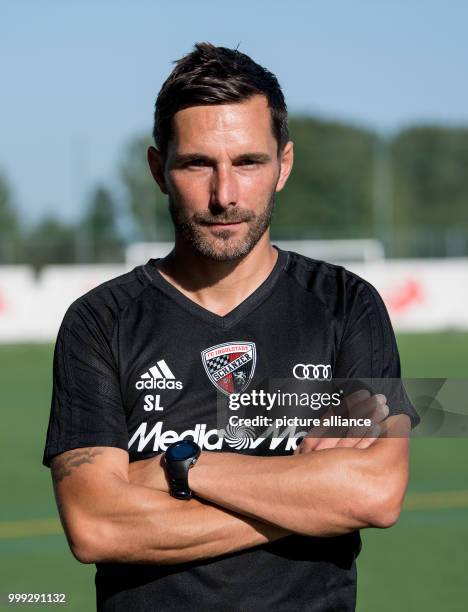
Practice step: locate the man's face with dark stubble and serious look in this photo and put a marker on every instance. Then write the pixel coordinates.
(221, 175)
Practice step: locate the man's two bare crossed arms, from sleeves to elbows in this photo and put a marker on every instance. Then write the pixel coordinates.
(116, 512)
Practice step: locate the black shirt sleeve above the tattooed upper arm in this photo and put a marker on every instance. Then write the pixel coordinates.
(86, 408)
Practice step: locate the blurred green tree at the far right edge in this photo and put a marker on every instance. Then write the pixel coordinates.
(430, 185)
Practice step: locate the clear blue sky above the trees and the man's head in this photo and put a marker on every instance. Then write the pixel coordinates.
(79, 78)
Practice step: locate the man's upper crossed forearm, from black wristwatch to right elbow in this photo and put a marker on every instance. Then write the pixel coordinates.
(325, 493)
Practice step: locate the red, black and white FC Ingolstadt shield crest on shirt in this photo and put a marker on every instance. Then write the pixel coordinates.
(230, 366)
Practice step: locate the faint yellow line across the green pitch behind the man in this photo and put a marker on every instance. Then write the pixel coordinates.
(427, 500)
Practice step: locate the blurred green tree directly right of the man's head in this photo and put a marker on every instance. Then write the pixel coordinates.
(329, 193)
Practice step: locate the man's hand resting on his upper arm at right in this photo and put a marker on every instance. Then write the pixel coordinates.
(360, 404)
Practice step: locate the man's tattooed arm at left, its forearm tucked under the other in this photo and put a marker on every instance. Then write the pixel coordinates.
(109, 518)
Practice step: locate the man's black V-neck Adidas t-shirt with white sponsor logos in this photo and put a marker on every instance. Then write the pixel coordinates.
(138, 364)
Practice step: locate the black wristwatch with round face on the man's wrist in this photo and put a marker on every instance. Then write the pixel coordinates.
(178, 459)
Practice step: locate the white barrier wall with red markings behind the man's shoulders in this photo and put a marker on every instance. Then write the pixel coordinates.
(421, 295)
